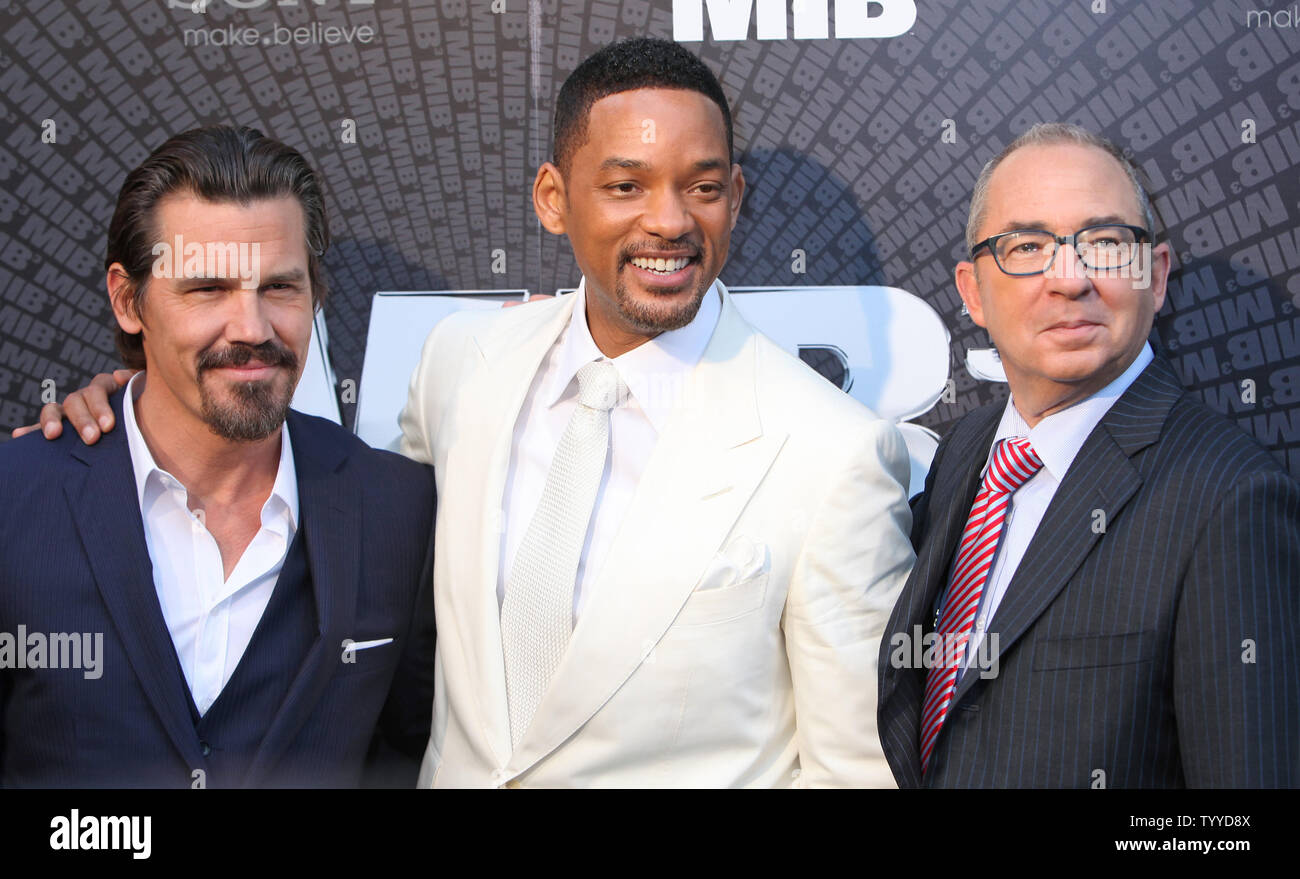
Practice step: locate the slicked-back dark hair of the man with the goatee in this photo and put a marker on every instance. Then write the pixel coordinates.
(223, 164)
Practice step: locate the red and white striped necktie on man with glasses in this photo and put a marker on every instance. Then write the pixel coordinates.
(1015, 464)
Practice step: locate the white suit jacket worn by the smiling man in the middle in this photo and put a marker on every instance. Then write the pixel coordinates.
(734, 633)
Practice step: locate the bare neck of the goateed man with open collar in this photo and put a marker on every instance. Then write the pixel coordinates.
(214, 470)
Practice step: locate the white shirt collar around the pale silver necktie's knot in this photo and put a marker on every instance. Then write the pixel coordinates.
(655, 373)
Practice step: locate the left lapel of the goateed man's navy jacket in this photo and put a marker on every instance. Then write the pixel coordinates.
(107, 512)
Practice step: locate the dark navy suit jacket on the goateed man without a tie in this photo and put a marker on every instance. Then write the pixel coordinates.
(73, 560)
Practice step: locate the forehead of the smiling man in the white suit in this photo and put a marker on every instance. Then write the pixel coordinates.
(653, 124)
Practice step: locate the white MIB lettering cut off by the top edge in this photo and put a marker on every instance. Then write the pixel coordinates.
(853, 19)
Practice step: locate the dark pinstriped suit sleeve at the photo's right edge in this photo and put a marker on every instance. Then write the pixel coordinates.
(1237, 664)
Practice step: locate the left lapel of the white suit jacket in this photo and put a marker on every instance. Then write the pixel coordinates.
(475, 484)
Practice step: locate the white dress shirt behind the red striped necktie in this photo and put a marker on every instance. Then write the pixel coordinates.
(1058, 440)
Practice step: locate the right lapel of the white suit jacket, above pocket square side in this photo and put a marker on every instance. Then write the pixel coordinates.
(703, 473)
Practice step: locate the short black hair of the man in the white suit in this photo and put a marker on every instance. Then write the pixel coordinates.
(639, 63)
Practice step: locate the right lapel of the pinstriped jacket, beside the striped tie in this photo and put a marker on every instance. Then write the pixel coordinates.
(1102, 478)
